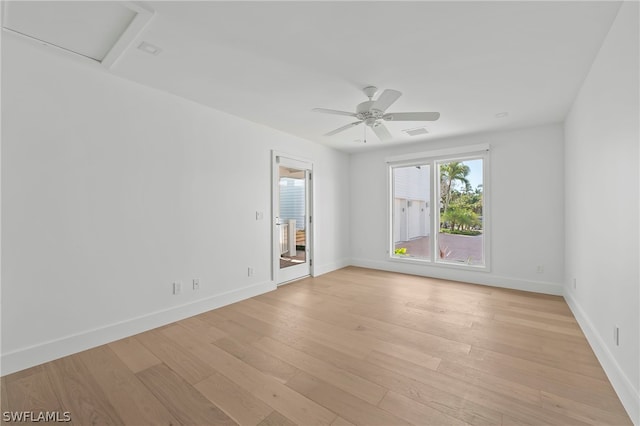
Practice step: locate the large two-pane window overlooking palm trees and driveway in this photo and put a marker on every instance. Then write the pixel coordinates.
(438, 208)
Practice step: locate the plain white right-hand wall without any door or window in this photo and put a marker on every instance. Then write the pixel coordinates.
(602, 213)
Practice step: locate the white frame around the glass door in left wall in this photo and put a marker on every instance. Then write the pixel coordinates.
(303, 164)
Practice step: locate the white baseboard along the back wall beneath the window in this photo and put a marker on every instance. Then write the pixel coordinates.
(464, 276)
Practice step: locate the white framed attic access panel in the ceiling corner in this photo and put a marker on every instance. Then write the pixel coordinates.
(98, 30)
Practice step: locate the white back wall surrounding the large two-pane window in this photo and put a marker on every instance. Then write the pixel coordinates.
(526, 175)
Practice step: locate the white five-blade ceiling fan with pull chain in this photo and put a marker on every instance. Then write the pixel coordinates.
(372, 113)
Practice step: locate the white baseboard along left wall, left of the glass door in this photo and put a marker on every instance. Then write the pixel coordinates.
(31, 356)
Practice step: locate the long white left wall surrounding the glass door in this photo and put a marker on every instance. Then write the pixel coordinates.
(112, 190)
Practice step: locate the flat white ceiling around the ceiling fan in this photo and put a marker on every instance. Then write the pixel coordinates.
(272, 62)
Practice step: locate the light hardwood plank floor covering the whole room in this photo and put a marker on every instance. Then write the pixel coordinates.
(355, 346)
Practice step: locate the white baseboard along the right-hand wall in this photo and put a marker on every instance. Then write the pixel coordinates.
(629, 396)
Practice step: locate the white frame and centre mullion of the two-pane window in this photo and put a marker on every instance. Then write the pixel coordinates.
(433, 159)
